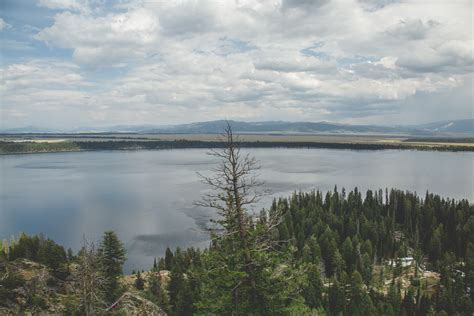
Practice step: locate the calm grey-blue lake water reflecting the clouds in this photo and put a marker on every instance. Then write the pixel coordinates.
(147, 196)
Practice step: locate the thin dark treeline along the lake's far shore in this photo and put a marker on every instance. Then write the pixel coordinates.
(8, 147)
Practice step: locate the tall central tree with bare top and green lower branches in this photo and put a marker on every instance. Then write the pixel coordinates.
(242, 266)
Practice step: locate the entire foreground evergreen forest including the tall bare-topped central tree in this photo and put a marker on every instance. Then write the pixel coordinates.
(388, 252)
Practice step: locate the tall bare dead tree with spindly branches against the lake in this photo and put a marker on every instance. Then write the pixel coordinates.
(235, 189)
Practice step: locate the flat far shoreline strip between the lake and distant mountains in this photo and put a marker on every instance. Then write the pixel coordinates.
(55, 143)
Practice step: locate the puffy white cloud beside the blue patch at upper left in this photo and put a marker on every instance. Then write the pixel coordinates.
(103, 40)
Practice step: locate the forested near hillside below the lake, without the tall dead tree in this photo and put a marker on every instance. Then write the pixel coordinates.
(391, 253)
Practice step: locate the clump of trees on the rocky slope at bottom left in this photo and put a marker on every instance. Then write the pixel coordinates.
(89, 281)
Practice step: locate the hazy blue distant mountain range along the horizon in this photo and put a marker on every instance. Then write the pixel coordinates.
(455, 128)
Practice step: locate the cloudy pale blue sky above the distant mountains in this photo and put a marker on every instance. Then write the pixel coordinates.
(76, 63)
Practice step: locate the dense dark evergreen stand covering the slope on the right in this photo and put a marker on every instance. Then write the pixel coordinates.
(350, 236)
